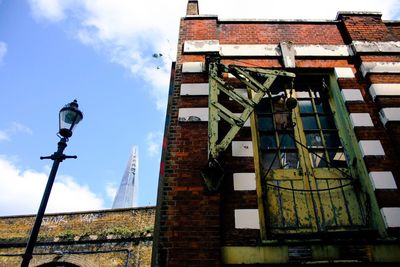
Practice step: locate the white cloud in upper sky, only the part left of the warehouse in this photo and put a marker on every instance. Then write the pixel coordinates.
(126, 31)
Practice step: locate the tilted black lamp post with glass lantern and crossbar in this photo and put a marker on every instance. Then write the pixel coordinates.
(69, 117)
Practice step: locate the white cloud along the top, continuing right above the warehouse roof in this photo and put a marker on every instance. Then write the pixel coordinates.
(129, 32)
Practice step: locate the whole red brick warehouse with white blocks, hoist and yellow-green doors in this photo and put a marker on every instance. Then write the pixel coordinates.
(281, 143)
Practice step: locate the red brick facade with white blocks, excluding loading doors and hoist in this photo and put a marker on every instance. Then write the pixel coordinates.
(197, 228)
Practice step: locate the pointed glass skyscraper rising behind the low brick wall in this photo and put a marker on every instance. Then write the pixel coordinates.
(126, 196)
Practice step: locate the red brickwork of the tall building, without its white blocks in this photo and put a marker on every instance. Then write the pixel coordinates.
(194, 224)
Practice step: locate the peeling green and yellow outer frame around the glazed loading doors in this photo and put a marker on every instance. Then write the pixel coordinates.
(350, 146)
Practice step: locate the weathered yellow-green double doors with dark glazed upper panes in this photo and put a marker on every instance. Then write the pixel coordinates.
(307, 184)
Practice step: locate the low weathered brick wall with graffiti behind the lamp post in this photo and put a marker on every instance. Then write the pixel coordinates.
(118, 237)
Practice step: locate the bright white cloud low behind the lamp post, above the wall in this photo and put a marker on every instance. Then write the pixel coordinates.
(21, 192)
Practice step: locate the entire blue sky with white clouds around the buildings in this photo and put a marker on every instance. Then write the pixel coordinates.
(100, 52)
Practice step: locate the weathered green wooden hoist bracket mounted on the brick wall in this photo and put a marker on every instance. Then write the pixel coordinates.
(258, 82)
